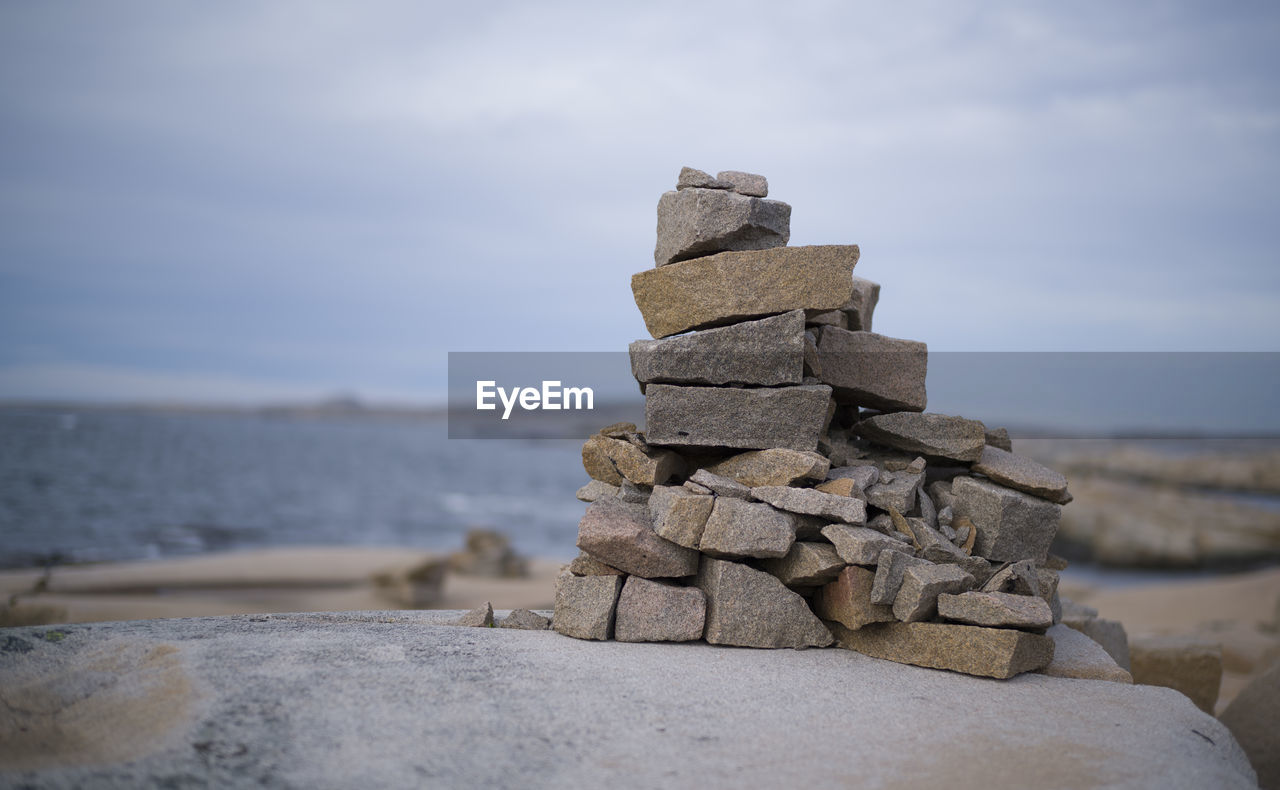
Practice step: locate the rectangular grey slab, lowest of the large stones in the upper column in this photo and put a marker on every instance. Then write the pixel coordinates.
(789, 418)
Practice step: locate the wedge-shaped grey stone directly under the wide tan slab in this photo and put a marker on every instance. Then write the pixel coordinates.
(766, 353)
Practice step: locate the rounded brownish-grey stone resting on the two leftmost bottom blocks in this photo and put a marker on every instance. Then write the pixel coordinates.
(620, 535)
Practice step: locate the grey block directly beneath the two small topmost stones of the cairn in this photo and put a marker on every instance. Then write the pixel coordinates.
(697, 222)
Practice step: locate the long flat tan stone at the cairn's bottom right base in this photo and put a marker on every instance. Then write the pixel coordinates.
(945, 646)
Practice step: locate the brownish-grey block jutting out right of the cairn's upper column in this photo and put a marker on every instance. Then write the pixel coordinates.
(874, 371)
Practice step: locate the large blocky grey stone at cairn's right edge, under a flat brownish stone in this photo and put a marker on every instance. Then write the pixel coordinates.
(1012, 526)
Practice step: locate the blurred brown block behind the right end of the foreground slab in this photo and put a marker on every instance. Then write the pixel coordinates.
(1187, 664)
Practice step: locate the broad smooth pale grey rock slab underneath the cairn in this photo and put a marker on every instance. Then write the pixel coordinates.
(391, 700)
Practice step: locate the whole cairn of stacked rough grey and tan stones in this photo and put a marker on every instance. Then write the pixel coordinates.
(789, 490)
